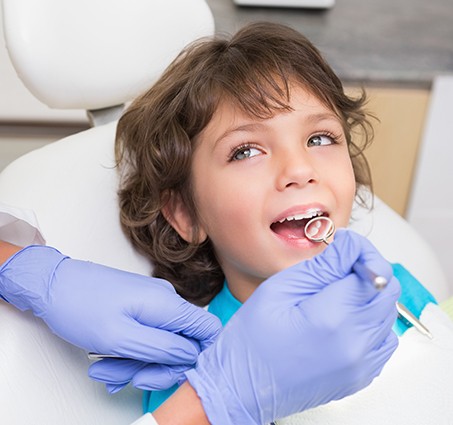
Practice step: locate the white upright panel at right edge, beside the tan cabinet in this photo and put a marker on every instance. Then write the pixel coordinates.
(431, 203)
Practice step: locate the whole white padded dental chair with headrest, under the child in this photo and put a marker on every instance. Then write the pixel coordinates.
(97, 55)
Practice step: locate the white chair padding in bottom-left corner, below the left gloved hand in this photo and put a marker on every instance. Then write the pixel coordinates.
(44, 381)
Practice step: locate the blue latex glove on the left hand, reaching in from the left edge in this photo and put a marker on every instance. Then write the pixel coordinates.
(109, 311)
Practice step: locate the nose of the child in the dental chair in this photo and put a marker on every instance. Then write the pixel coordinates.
(295, 169)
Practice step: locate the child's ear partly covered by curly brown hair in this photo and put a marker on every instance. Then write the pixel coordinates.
(178, 216)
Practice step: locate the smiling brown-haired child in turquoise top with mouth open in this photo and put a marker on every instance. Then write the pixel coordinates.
(230, 153)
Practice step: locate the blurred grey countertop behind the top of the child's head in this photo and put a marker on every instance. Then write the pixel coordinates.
(395, 42)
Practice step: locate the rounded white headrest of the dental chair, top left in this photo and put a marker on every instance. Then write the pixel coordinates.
(93, 54)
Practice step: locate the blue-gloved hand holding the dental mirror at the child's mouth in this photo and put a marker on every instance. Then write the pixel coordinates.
(308, 335)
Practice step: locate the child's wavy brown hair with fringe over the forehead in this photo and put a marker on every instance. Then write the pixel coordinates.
(253, 69)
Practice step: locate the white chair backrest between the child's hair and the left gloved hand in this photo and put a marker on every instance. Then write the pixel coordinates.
(71, 187)
